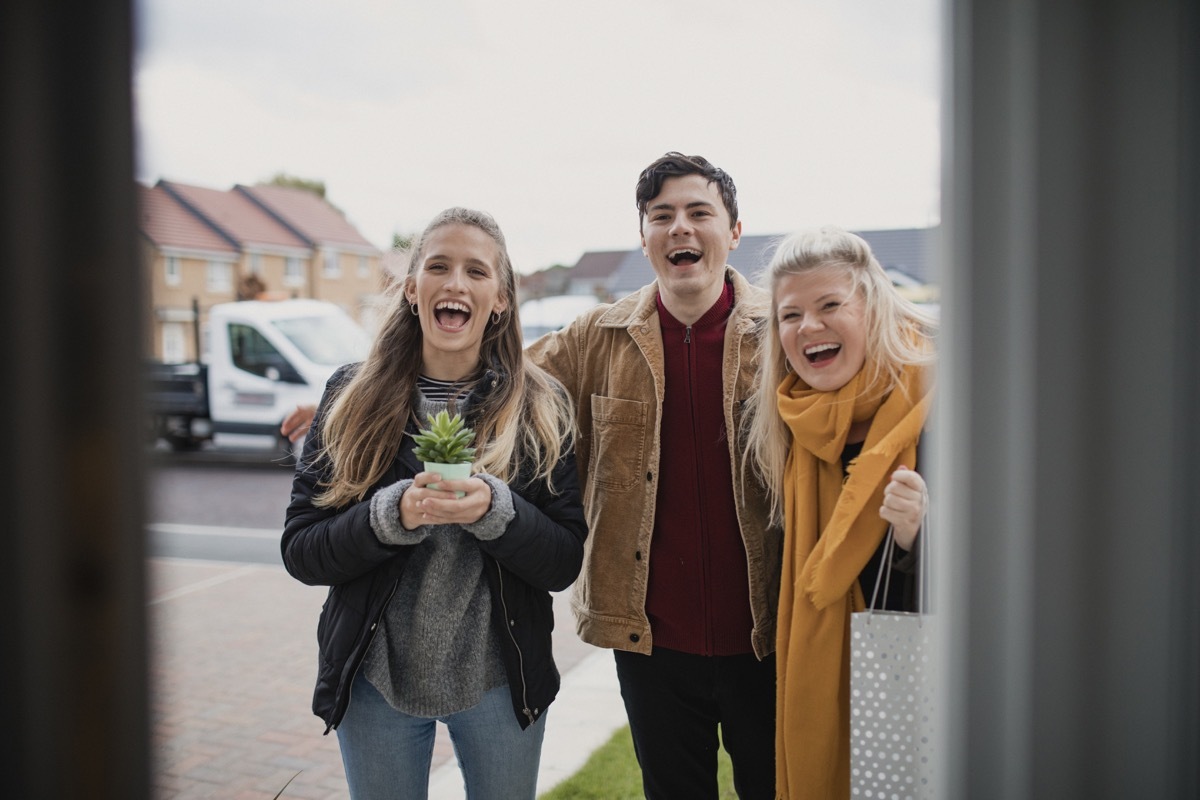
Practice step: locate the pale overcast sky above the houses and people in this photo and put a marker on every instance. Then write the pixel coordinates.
(544, 112)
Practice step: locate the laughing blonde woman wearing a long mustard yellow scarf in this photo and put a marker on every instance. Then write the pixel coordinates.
(847, 387)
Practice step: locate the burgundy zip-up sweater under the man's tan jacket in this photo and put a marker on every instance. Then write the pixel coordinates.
(699, 594)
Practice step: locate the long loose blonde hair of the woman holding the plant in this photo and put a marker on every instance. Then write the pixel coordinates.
(525, 420)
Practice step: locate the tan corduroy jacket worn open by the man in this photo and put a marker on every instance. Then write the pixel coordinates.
(611, 363)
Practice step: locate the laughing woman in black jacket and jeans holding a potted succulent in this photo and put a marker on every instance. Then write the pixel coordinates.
(440, 604)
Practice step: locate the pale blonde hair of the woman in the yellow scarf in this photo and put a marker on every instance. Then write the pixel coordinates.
(898, 335)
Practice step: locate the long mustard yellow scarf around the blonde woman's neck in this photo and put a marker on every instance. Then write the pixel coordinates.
(832, 528)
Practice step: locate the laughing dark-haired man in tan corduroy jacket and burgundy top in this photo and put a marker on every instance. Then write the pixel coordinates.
(661, 381)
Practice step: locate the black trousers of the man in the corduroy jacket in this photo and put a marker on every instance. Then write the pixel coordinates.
(676, 702)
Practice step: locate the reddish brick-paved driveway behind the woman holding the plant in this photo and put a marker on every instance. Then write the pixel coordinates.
(233, 663)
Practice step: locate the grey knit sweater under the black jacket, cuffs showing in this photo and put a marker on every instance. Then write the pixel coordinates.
(436, 652)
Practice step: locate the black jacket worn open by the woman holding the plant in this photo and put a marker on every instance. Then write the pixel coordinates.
(541, 552)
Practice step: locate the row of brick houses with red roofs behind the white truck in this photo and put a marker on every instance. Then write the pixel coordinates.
(203, 246)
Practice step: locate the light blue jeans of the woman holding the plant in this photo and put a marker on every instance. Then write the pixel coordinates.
(387, 754)
